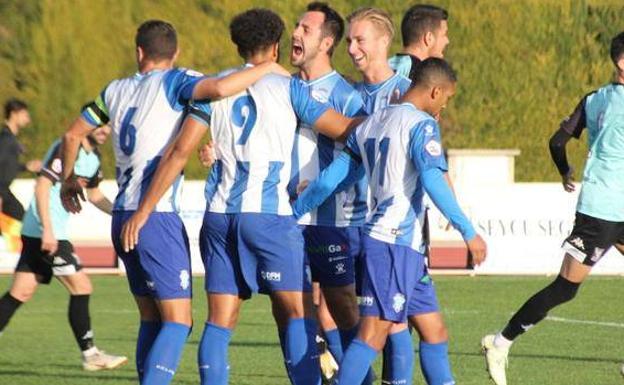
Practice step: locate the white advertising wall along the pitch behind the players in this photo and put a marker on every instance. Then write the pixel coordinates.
(524, 225)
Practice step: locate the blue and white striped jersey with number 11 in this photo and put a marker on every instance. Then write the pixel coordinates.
(396, 144)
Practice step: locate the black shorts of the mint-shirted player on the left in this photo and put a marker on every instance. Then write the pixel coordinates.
(33, 260)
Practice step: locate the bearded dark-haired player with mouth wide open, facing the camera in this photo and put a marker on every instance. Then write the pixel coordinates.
(332, 231)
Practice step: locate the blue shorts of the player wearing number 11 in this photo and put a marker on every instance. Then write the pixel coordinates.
(394, 283)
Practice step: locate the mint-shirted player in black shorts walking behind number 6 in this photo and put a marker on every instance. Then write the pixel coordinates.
(47, 251)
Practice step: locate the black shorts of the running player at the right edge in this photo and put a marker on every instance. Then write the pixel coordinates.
(591, 238)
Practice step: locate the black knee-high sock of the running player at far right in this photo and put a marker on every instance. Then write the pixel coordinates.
(537, 307)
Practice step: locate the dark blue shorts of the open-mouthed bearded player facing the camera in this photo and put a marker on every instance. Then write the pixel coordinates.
(331, 253)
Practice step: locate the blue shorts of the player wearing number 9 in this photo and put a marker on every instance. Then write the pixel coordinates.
(251, 252)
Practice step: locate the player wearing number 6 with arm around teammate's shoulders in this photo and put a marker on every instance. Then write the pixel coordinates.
(145, 111)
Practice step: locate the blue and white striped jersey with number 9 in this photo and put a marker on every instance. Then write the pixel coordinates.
(254, 132)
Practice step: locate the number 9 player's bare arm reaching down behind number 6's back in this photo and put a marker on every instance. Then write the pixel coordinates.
(170, 166)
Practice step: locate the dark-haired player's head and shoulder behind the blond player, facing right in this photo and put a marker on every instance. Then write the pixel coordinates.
(424, 30)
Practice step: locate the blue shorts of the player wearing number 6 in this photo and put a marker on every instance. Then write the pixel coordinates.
(160, 264)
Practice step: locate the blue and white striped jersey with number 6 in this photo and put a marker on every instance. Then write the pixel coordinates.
(144, 112)
